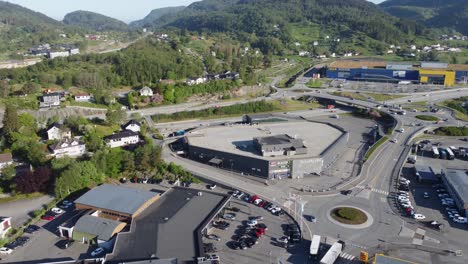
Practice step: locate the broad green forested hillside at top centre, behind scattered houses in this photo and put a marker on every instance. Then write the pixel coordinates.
(277, 18)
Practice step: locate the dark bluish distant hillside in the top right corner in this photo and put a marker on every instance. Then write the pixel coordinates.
(452, 14)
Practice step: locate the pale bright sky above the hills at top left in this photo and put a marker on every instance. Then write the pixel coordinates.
(125, 10)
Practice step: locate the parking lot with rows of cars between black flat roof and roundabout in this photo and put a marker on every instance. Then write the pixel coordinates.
(269, 249)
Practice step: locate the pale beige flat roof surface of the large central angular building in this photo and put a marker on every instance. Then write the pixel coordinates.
(238, 139)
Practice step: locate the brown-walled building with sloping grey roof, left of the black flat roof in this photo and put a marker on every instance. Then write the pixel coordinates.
(116, 202)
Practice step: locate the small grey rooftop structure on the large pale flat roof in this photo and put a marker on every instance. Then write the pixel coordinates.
(279, 145)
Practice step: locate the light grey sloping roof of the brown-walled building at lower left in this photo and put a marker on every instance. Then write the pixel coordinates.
(116, 198)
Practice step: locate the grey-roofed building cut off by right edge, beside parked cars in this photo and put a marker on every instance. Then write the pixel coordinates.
(456, 182)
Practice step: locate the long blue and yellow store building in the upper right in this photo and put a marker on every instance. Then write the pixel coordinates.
(381, 71)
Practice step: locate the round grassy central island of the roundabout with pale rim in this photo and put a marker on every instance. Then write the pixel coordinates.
(350, 217)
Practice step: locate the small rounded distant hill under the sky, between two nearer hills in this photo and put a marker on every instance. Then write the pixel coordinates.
(94, 21)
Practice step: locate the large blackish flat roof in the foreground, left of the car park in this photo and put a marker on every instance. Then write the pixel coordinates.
(170, 227)
